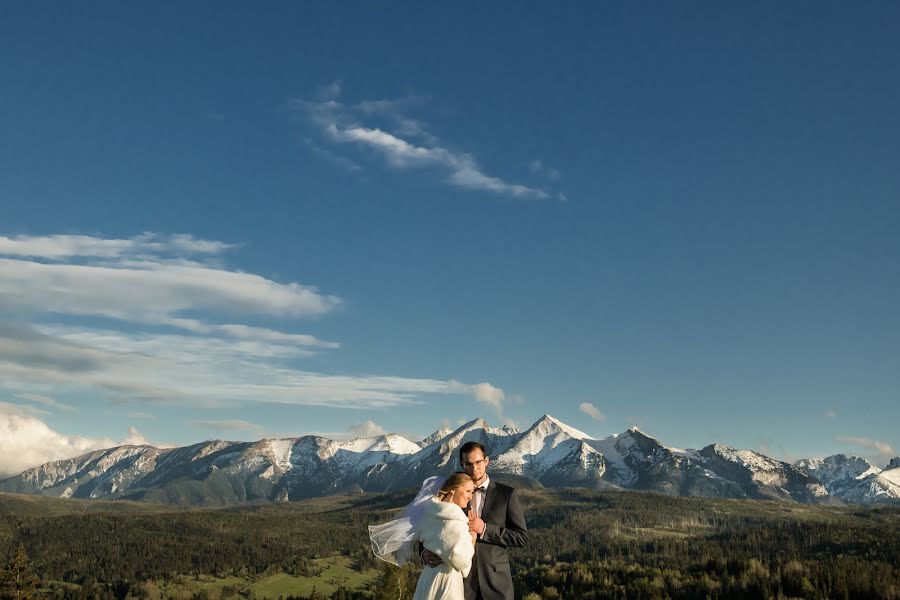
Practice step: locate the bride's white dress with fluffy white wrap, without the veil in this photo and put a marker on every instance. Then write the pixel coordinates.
(444, 529)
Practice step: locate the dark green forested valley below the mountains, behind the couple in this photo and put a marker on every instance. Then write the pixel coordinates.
(584, 544)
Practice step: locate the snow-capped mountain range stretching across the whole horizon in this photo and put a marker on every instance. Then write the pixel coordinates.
(549, 453)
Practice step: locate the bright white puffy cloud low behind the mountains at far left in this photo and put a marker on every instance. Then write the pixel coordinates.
(26, 441)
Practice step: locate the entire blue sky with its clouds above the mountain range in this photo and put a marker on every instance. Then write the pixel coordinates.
(225, 221)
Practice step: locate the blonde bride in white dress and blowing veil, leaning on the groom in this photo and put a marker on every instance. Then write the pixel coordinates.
(436, 518)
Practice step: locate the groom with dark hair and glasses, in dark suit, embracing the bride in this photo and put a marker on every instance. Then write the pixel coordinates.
(496, 517)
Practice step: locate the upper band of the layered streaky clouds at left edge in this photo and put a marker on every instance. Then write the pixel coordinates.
(150, 279)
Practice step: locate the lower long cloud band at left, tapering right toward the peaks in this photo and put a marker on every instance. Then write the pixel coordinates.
(168, 368)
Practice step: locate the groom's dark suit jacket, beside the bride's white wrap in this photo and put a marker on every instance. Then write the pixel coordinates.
(504, 528)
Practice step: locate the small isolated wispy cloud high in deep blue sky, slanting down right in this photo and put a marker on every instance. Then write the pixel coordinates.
(404, 142)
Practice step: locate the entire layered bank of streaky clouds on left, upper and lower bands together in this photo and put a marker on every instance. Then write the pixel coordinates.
(173, 329)
